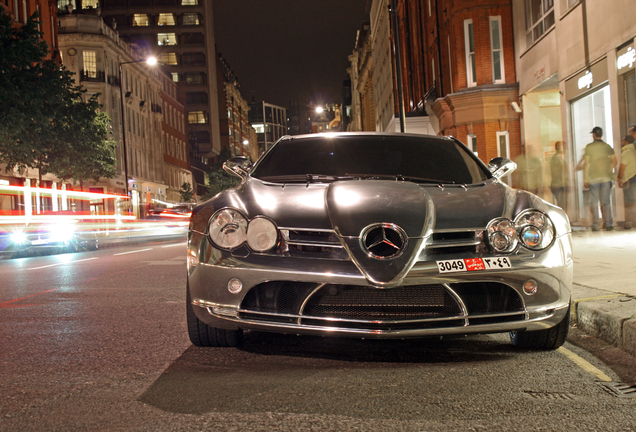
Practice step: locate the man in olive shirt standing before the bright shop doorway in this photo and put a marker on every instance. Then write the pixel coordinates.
(598, 174)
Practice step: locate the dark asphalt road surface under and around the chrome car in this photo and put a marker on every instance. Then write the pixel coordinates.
(97, 341)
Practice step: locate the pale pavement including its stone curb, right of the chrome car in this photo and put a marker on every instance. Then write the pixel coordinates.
(604, 287)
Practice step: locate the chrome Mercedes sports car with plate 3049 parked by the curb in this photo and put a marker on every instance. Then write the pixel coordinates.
(377, 236)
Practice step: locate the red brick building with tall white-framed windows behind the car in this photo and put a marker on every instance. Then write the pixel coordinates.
(458, 66)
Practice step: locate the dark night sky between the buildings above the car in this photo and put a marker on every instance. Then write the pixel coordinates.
(282, 50)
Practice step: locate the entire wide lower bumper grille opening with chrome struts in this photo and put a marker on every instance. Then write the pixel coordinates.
(363, 307)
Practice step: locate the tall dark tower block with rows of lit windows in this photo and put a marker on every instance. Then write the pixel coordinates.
(180, 33)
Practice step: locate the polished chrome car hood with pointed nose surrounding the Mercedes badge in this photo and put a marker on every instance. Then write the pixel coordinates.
(349, 207)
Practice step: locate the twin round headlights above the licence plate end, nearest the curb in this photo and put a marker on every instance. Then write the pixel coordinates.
(532, 228)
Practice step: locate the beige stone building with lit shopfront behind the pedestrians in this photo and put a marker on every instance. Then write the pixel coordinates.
(576, 61)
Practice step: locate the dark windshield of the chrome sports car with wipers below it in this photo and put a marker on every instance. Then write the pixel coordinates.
(330, 158)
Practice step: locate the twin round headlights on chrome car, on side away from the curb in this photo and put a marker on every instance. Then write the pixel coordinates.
(229, 229)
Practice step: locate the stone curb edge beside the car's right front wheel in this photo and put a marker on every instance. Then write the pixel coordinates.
(611, 318)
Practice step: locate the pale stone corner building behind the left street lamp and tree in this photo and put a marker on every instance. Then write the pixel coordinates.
(95, 53)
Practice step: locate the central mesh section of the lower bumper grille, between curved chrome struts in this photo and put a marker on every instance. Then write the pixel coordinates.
(353, 302)
